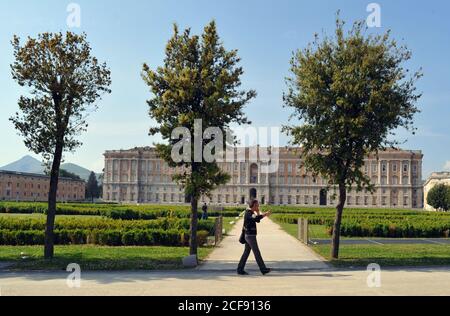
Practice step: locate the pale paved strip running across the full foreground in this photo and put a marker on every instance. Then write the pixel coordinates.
(408, 281)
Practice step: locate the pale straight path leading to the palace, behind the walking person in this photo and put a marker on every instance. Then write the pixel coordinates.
(281, 251)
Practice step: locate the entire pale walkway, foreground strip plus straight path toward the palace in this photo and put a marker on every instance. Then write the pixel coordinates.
(298, 271)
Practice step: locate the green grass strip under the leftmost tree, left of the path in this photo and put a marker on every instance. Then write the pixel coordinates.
(98, 258)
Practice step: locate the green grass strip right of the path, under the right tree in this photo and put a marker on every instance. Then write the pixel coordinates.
(388, 255)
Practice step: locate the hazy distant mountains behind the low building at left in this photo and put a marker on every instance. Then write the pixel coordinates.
(29, 164)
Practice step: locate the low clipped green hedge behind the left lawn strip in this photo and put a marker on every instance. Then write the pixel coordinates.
(23, 230)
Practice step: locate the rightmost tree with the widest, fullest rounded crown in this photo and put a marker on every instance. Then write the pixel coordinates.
(349, 92)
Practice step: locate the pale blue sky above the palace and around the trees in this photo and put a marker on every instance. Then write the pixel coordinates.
(126, 34)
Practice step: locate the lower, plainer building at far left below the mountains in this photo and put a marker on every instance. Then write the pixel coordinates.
(30, 187)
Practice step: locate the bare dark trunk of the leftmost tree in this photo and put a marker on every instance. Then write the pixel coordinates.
(52, 197)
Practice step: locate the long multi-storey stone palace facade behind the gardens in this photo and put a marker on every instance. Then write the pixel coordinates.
(139, 176)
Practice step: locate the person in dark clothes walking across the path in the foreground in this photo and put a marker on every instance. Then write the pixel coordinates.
(251, 218)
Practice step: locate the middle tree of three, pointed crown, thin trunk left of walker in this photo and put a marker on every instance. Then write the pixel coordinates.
(200, 80)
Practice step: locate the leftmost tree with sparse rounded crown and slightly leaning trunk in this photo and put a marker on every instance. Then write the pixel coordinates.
(65, 81)
